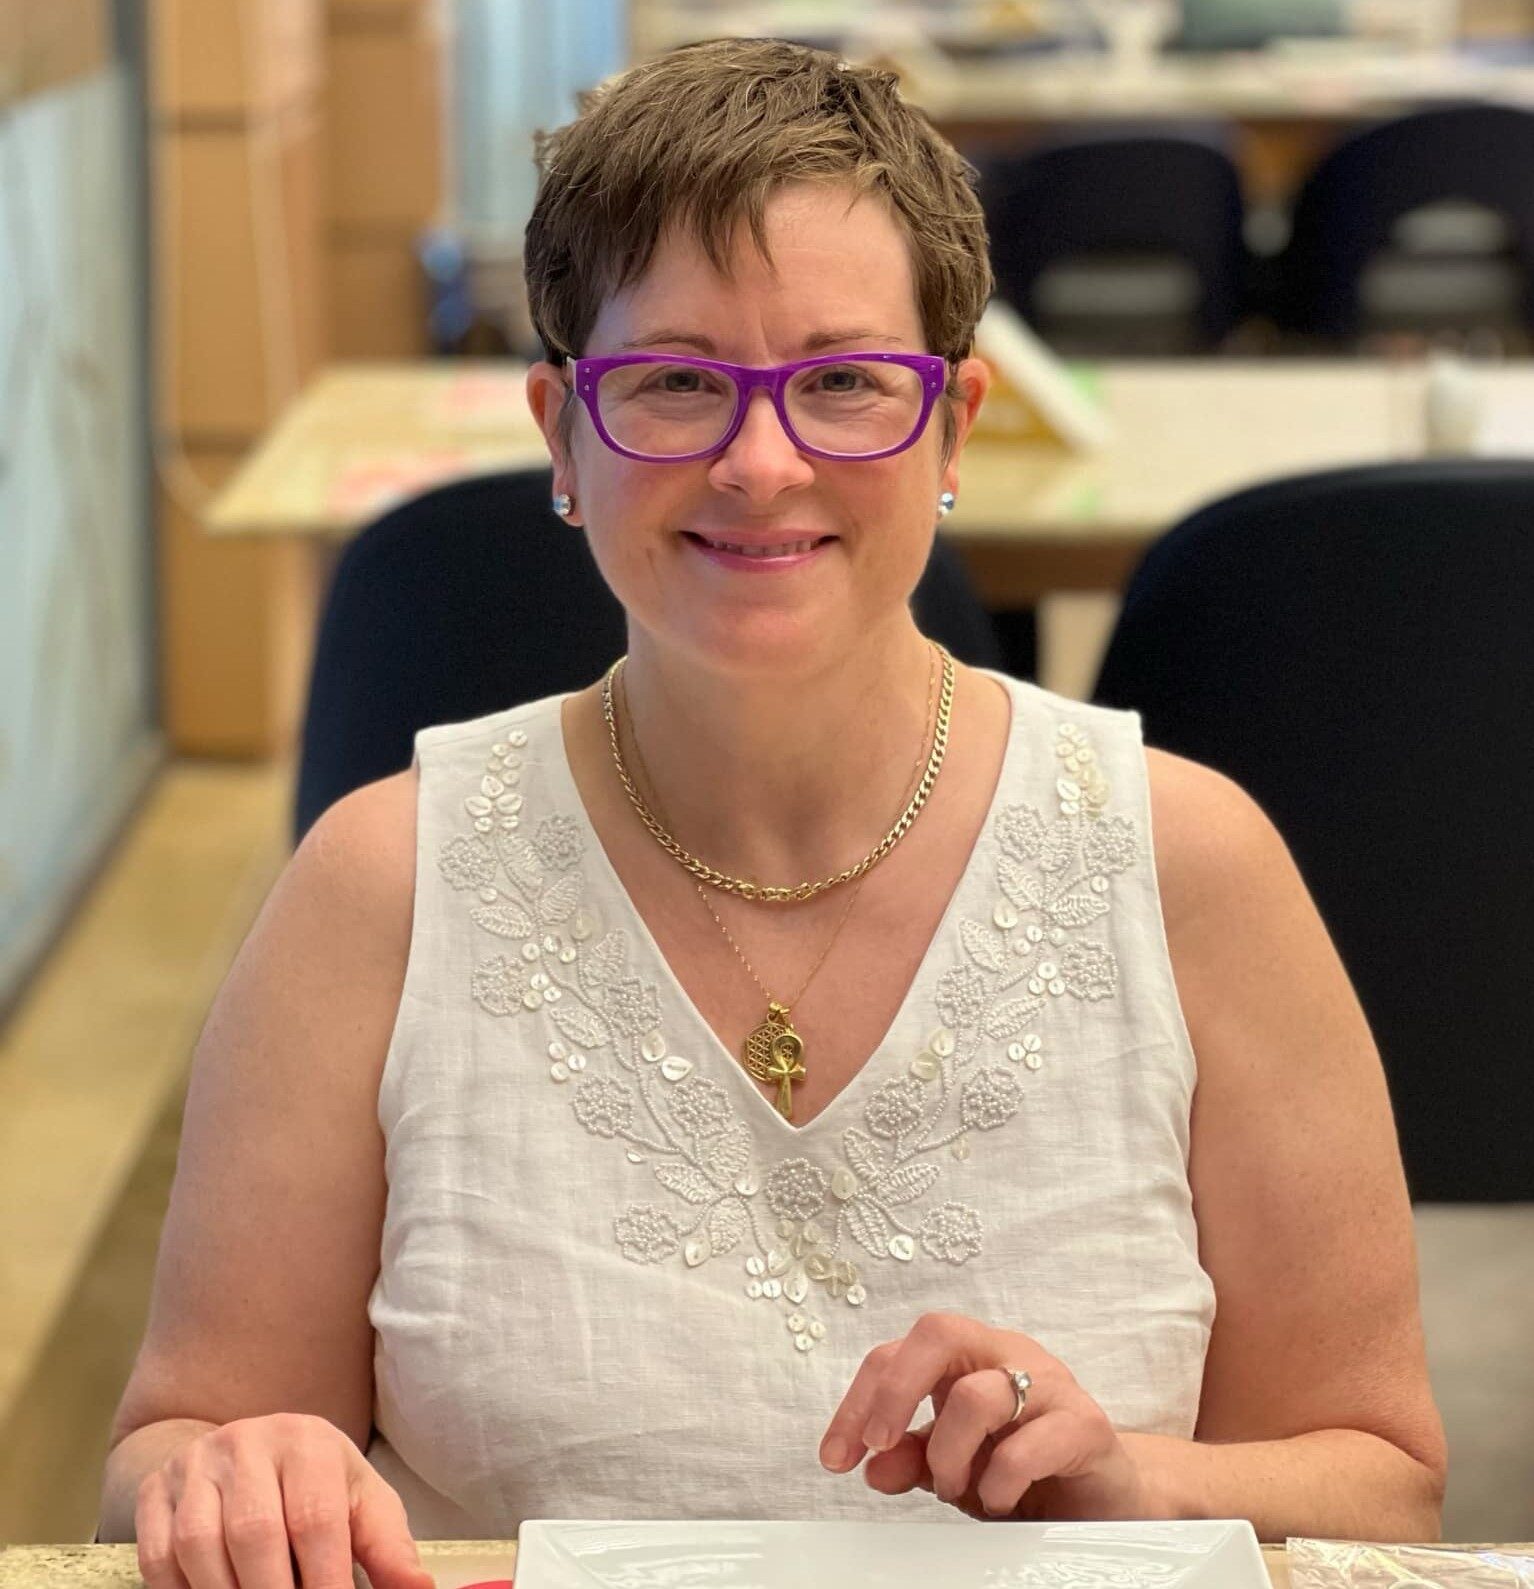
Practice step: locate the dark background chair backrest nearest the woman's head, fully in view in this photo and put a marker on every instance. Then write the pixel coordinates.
(1121, 193)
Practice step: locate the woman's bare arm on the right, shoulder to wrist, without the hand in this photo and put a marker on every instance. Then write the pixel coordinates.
(1317, 1415)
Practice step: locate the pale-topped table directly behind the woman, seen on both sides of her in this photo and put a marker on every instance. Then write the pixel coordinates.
(1032, 520)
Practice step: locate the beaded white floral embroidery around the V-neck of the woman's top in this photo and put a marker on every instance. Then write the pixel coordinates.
(799, 1218)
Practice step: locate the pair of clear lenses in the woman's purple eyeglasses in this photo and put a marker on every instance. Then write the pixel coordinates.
(670, 411)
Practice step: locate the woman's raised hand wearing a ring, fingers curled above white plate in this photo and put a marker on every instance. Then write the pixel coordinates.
(1061, 1459)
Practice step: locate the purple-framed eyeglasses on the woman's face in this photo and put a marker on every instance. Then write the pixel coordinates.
(662, 409)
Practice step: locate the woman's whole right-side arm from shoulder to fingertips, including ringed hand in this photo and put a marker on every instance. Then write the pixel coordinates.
(1315, 1415)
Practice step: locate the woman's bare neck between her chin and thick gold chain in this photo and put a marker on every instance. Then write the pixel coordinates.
(786, 778)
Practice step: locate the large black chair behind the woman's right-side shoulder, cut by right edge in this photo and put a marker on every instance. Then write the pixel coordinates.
(1354, 649)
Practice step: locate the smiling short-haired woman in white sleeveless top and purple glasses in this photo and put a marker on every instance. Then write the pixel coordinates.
(792, 1026)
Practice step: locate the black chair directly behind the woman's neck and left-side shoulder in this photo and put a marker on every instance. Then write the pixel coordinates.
(475, 598)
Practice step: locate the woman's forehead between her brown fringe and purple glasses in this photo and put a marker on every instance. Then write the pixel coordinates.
(832, 258)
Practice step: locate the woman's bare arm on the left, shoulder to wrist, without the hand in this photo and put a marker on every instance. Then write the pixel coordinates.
(271, 1245)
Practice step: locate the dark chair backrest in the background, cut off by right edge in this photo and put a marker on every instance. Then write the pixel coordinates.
(1350, 204)
